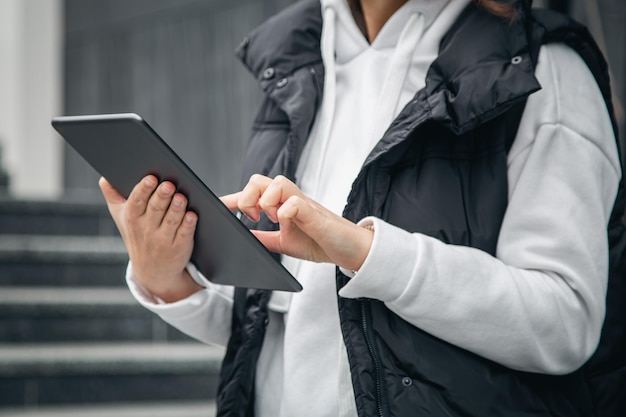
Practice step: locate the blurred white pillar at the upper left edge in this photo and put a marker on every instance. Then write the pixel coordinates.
(30, 94)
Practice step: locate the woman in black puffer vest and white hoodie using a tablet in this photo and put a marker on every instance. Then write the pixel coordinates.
(435, 202)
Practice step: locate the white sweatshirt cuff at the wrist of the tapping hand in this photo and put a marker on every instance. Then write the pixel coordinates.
(375, 279)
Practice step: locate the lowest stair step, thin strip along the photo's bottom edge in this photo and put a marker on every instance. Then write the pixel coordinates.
(171, 409)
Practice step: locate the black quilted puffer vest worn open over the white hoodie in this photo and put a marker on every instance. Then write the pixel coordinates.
(447, 147)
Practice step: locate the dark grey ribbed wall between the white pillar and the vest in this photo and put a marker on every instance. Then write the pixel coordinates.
(173, 62)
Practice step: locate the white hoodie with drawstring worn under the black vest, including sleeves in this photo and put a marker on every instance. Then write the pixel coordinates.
(538, 306)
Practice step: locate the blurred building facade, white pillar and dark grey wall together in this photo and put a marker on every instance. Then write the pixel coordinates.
(172, 61)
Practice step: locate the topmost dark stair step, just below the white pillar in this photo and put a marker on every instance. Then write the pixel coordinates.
(75, 217)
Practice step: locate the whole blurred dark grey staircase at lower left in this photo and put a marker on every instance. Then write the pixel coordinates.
(73, 342)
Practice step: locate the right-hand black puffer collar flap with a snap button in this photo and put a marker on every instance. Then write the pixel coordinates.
(483, 68)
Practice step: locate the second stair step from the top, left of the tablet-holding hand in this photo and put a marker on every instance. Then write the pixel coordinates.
(63, 260)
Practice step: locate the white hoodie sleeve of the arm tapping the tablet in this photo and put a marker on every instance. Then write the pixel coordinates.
(538, 306)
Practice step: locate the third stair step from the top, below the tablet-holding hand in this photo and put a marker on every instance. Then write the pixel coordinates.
(52, 314)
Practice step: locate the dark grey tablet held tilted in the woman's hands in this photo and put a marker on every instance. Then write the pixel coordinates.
(123, 148)
